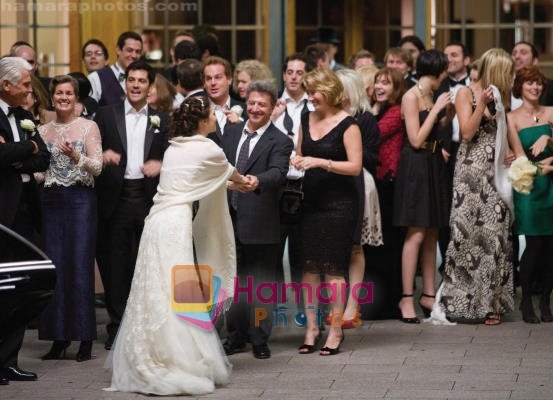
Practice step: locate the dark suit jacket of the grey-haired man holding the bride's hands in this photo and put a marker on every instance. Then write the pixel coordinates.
(258, 214)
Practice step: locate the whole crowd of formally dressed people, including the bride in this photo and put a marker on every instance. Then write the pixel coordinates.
(142, 170)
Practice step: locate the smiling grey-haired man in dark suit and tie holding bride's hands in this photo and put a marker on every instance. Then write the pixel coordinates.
(260, 152)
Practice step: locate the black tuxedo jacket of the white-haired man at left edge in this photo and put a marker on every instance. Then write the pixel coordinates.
(17, 158)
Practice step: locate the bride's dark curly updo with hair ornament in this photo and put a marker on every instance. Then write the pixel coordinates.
(187, 117)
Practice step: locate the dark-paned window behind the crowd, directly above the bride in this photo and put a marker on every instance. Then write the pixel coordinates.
(238, 24)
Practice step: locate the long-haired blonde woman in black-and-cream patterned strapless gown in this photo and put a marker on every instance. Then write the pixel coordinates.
(478, 284)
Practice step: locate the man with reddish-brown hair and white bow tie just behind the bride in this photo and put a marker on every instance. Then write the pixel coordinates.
(217, 78)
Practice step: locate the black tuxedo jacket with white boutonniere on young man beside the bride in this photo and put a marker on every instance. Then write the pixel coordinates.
(111, 122)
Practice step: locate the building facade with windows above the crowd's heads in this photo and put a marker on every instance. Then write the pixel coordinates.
(269, 29)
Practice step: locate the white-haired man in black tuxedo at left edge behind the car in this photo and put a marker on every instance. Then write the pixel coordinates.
(22, 152)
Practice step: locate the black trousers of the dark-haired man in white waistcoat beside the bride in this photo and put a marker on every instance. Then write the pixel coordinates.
(117, 249)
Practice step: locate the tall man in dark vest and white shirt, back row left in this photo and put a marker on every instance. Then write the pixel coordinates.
(108, 83)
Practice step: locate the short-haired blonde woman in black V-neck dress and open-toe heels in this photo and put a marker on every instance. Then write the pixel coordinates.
(330, 151)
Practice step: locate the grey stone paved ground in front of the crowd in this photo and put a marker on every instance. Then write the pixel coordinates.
(380, 360)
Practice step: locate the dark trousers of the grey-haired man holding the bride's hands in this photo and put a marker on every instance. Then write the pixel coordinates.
(259, 261)
